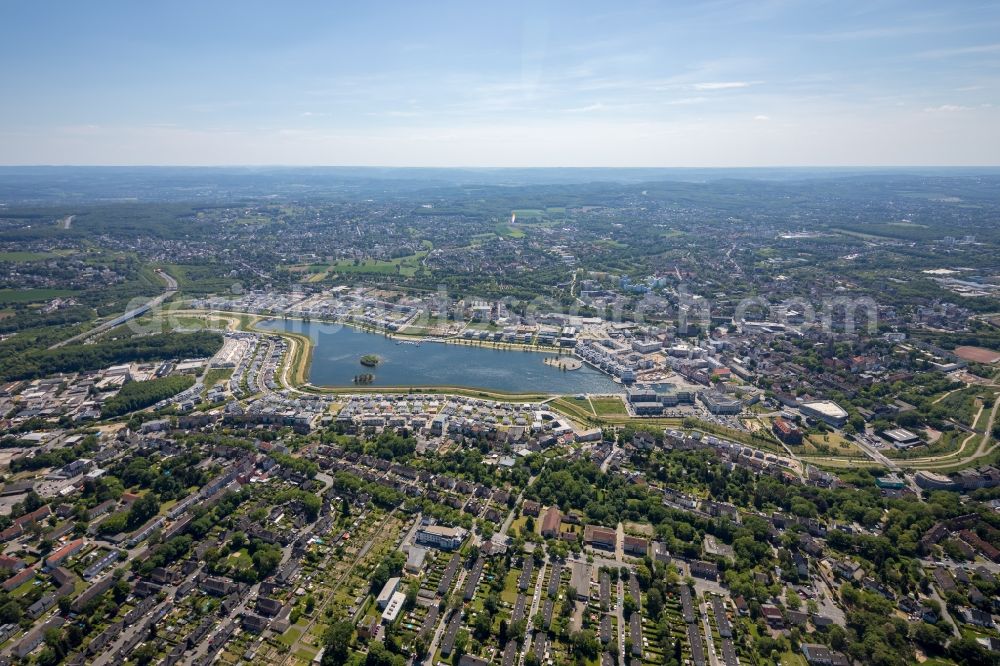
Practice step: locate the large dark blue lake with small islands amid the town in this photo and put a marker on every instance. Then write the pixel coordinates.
(338, 349)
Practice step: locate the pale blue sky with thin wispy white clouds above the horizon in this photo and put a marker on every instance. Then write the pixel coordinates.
(715, 83)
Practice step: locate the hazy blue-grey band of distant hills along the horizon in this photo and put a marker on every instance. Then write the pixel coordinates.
(65, 184)
